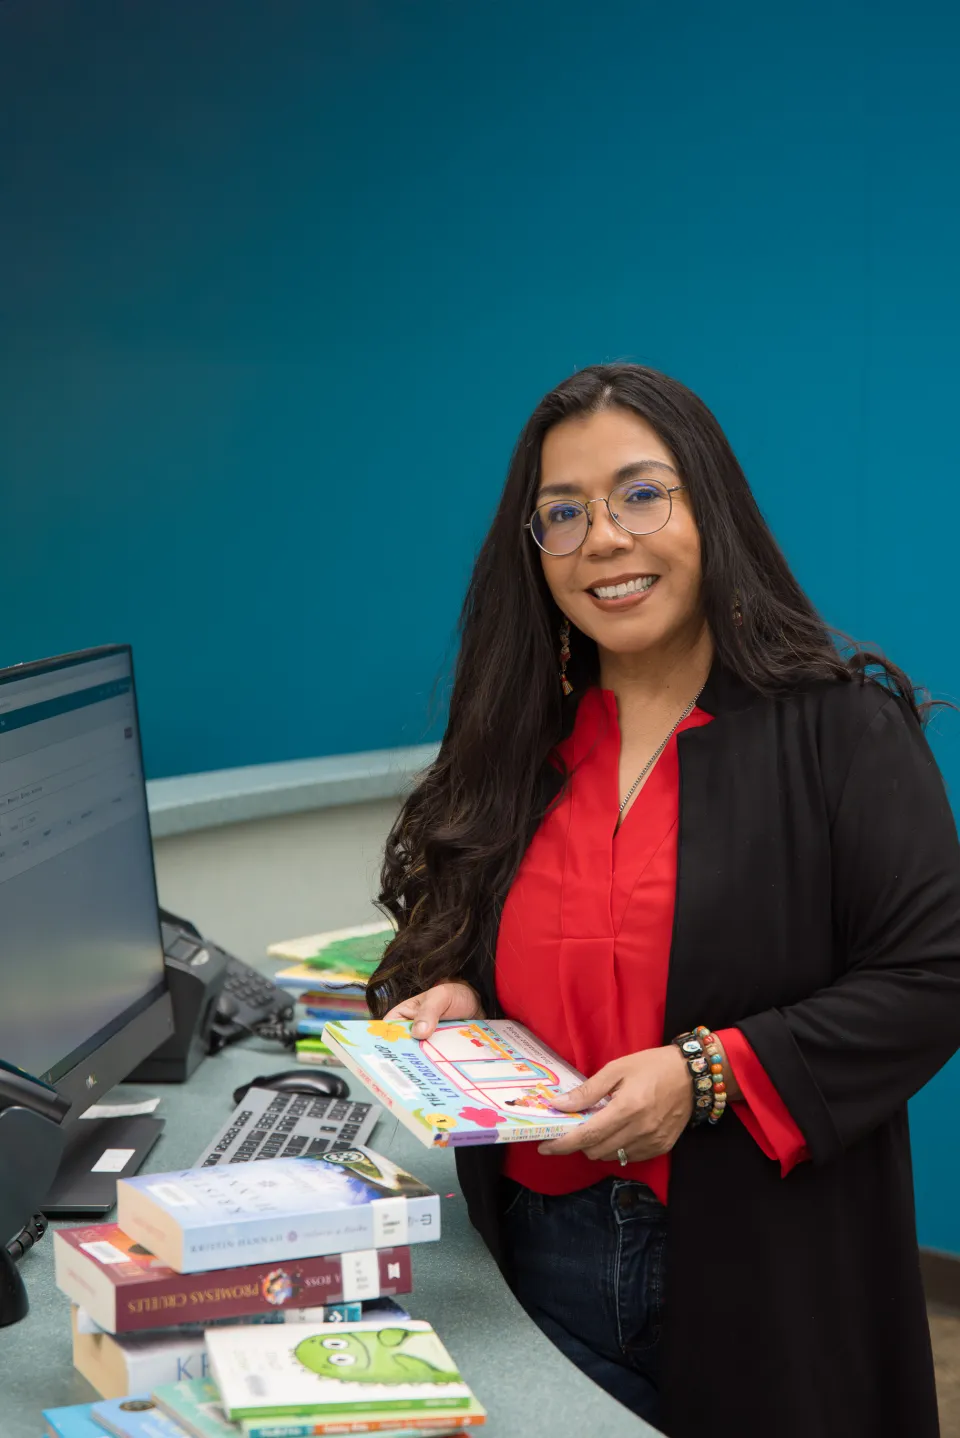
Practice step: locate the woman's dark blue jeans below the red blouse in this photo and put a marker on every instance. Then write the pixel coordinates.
(589, 1268)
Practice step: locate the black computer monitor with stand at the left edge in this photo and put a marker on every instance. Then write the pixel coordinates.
(83, 989)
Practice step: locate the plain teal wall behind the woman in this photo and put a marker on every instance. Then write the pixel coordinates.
(269, 267)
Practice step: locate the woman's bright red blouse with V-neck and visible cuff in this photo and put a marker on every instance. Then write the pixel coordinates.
(584, 945)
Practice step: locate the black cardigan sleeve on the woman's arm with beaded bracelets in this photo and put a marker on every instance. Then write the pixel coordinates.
(849, 1058)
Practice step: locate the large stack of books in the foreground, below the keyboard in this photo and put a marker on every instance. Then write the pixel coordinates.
(258, 1302)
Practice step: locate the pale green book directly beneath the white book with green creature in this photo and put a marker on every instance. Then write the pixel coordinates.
(198, 1409)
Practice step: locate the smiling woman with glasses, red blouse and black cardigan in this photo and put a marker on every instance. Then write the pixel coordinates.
(724, 828)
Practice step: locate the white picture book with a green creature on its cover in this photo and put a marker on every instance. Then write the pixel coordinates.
(360, 1368)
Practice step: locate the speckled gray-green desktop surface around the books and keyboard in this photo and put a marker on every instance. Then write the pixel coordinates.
(527, 1386)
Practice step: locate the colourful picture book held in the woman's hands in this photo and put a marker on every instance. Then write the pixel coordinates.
(474, 1082)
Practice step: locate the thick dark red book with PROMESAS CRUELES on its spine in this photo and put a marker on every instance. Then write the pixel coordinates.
(126, 1289)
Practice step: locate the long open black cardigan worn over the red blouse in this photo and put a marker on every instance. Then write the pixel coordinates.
(818, 910)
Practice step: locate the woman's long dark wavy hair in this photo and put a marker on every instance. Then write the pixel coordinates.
(462, 833)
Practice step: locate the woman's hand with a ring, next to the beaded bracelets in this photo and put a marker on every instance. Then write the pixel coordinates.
(650, 1107)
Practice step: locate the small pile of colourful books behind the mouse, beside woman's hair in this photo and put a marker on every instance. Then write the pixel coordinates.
(328, 980)
